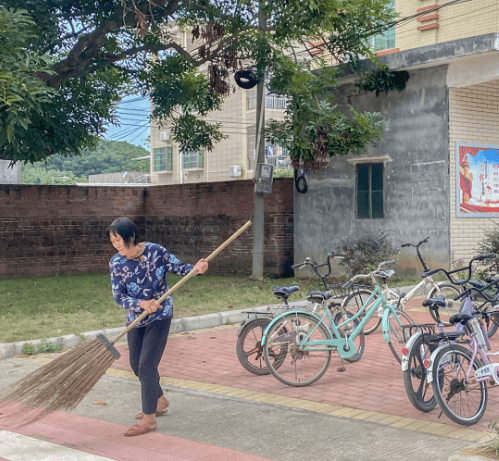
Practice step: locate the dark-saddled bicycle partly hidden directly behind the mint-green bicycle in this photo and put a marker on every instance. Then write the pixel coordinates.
(248, 346)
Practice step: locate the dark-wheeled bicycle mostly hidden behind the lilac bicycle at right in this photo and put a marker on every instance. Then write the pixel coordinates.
(424, 339)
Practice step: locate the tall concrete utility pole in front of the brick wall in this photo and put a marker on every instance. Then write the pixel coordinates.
(259, 208)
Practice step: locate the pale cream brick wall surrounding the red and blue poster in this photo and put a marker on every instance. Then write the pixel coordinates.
(474, 118)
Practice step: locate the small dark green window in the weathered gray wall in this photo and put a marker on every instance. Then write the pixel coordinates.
(370, 190)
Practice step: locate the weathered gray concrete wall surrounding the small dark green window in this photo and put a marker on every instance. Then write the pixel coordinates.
(416, 179)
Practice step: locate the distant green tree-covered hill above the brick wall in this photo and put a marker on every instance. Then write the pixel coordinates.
(108, 157)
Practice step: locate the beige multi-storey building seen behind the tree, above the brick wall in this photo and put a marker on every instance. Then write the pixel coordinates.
(232, 158)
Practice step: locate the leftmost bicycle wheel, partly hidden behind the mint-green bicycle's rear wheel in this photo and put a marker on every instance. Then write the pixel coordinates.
(249, 346)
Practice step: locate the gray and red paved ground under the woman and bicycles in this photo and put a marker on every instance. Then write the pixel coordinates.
(220, 411)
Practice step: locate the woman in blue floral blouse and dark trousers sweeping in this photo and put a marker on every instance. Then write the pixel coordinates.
(138, 279)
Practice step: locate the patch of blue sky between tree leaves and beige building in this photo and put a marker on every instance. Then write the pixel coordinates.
(133, 112)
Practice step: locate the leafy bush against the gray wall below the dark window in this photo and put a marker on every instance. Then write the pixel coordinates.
(364, 253)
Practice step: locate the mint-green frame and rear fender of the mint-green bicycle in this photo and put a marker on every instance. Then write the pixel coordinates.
(338, 343)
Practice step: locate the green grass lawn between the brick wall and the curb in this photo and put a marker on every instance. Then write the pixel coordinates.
(44, 307)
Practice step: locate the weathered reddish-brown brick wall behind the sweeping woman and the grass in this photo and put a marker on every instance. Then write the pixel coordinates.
(46, 230)
